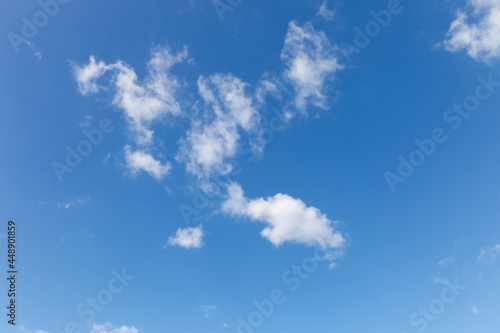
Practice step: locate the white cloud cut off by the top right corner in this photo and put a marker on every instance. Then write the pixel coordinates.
(476, 30)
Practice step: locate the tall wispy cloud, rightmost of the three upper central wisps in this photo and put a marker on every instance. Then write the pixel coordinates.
(311, 60)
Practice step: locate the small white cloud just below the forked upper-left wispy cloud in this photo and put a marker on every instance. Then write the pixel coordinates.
(140, 160)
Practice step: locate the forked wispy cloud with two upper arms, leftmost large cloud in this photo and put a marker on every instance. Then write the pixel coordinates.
(143, 102)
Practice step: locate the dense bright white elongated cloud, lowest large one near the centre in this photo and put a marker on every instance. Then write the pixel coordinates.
(287, 219)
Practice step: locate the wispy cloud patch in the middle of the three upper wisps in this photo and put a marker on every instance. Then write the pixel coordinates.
(227, 112)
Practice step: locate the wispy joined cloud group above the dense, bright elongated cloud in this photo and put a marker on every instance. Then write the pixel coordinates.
(225, 111)
